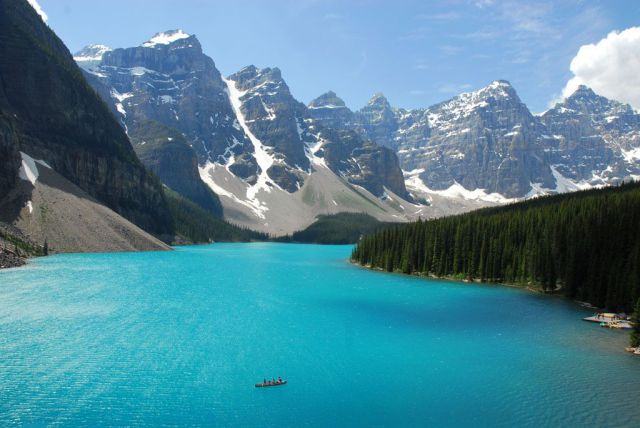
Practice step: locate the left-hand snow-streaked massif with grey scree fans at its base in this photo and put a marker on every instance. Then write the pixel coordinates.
(273, 165)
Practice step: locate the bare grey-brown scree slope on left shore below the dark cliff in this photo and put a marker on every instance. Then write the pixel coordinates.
(48, 208)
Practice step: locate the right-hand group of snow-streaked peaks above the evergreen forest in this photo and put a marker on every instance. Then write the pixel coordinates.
(487, 146)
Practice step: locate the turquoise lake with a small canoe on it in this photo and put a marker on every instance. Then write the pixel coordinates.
(180, 338)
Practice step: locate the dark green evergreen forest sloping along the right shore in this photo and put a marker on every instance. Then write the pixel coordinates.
(585, 245)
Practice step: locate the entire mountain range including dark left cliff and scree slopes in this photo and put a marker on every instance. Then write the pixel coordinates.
(148, 145)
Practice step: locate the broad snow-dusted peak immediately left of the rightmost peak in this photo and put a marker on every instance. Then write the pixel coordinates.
(482, 140)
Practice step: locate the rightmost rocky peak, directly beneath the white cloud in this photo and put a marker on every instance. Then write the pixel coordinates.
(594, 139)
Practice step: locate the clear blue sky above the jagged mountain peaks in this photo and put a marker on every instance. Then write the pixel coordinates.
(416, 52)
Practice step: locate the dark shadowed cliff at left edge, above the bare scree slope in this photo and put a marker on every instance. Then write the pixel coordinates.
(55, 116)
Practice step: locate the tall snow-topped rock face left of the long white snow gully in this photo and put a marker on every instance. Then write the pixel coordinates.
(169, 80)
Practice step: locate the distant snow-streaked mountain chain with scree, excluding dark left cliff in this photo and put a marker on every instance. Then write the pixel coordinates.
(277, 164)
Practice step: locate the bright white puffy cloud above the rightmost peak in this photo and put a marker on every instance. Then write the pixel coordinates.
(611, 67)
